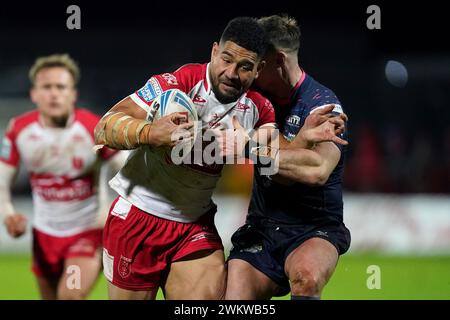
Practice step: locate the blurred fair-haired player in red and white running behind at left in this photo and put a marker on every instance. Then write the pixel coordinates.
(55, 142)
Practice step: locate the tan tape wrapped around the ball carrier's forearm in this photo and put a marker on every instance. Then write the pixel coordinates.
(121, 131)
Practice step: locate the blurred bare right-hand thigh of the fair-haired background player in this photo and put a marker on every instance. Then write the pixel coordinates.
(79, 276)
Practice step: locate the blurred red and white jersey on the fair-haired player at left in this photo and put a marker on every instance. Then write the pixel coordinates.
(62, 168)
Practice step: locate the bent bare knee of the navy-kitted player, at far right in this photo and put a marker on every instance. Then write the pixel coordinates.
(316, 258)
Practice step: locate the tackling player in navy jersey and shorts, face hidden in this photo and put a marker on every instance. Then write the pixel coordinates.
(294, 231)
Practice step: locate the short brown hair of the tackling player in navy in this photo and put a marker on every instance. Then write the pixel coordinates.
(281, 31)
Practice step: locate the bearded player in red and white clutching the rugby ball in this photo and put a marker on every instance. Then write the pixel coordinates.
(160, 231)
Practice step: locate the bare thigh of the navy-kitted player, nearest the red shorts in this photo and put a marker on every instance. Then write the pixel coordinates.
(245, 282)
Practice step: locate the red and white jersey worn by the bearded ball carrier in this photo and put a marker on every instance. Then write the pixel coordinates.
(151, 182)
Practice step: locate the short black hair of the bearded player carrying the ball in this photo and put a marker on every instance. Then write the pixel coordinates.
(247, 33)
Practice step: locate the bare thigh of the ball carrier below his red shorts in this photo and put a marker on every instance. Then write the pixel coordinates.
(201, 275)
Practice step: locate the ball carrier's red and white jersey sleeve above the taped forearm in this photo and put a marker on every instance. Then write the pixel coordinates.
(183, 79)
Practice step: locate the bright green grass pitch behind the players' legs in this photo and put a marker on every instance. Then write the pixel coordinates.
(400, 278)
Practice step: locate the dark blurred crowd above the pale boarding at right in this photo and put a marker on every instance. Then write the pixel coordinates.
(393, 161)
